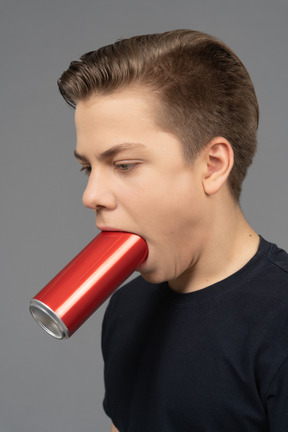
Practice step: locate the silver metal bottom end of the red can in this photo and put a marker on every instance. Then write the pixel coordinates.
(48, 320)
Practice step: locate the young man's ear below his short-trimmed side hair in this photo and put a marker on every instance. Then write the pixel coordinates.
(218, 162)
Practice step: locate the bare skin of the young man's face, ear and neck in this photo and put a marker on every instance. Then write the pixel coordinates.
(140, 182)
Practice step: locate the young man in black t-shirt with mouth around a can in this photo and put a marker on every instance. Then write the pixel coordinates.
(166, 129)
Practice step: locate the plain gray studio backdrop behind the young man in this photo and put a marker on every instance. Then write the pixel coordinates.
(56, 386)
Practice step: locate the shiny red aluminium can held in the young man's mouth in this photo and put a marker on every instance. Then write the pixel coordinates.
(75, 293)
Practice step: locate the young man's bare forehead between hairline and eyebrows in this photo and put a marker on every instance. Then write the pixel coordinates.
(124, 116)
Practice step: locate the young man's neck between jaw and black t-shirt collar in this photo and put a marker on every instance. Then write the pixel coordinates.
(228, 244)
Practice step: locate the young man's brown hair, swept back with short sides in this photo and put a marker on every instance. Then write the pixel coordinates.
(204, 89)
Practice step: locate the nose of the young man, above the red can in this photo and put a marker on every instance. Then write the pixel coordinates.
(98, 193)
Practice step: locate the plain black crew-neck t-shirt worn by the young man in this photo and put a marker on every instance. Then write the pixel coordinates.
(214, 360)
